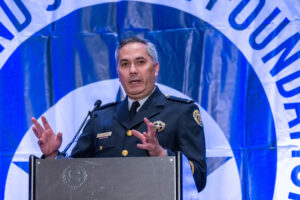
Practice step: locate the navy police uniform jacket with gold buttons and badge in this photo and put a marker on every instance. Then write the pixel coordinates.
(178, 125)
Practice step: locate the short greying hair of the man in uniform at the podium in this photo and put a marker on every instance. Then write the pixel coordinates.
(151, 50)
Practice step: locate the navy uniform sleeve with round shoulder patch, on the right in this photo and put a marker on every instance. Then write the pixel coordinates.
(192, 143)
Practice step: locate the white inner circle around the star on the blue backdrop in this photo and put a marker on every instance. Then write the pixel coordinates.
(67, 114)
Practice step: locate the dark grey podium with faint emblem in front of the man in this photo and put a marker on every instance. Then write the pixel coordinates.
(130, 178)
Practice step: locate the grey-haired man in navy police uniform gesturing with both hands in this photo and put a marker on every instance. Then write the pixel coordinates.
(146, 123)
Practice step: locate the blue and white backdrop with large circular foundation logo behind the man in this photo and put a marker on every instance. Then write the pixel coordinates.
(231, 121)
